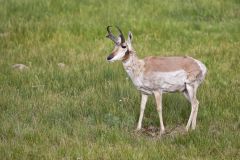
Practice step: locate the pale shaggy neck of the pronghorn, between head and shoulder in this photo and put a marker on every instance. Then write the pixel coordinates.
(133, 65)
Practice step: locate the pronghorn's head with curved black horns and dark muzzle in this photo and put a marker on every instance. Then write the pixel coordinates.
(122, 48)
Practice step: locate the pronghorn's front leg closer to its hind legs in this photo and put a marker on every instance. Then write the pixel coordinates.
(158, 97)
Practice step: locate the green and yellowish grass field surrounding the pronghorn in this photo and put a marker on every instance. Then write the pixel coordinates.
(89, 109)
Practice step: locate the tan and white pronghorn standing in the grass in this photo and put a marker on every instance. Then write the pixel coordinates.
(157, 75)
